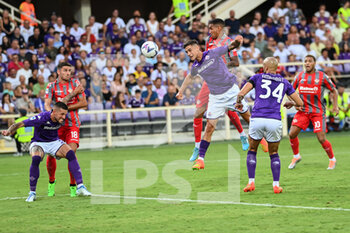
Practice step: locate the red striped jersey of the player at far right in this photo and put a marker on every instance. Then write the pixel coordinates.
(311, 89)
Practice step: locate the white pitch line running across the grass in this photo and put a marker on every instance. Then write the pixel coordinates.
(203, 202)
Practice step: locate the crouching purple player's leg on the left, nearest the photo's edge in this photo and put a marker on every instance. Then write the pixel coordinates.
(37, 154)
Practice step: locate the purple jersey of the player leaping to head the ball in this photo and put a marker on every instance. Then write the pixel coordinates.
(214, 71)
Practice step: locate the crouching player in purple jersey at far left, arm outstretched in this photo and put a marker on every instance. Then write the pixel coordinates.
(46, 141)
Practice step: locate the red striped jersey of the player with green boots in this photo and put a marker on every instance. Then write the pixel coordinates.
(57, 91)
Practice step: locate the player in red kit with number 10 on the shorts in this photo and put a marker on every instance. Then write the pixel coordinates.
(311, 85)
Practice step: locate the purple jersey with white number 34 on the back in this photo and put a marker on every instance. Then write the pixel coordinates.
(269, 92)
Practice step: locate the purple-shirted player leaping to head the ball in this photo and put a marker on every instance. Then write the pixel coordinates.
(221, 83)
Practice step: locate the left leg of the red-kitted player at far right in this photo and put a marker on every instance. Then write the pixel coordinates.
(300, 121)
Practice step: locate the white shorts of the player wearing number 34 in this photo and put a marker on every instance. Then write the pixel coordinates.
(270, 129)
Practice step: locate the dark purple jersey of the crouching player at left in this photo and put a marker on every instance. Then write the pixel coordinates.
(45, 130)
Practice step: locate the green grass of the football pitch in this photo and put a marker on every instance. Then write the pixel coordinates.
(310, 184)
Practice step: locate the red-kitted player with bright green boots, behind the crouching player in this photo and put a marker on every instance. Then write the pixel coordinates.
(69, 132)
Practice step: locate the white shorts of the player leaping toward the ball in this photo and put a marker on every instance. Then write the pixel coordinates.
(218, 104)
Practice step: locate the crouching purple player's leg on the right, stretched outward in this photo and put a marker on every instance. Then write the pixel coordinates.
(66, 152)
